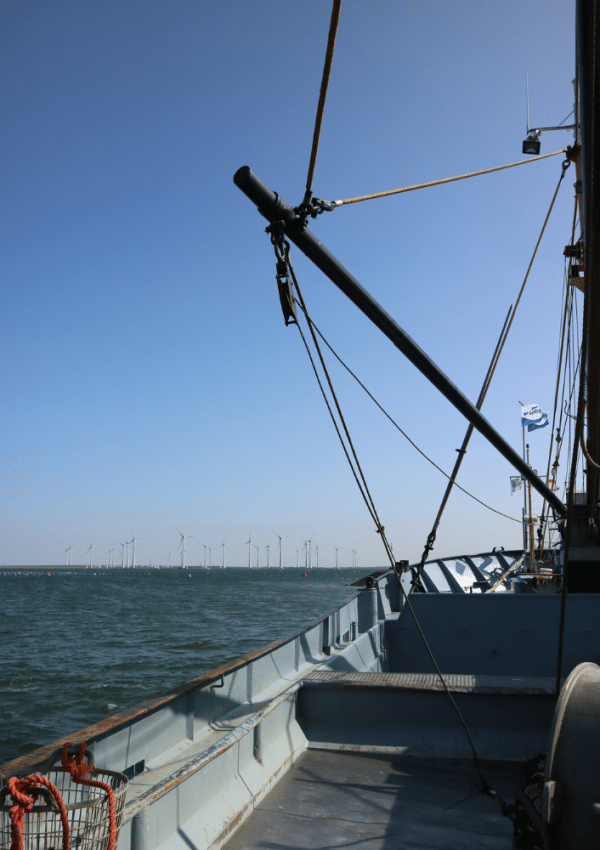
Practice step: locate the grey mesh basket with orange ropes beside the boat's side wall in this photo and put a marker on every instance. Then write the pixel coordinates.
(87, 810)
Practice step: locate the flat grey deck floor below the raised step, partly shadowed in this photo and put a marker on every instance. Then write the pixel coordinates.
(372, 802)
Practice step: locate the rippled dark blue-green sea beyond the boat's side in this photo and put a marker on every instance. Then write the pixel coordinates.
(78, 647)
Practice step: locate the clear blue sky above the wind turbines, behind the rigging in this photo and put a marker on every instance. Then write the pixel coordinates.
(148, 381)
